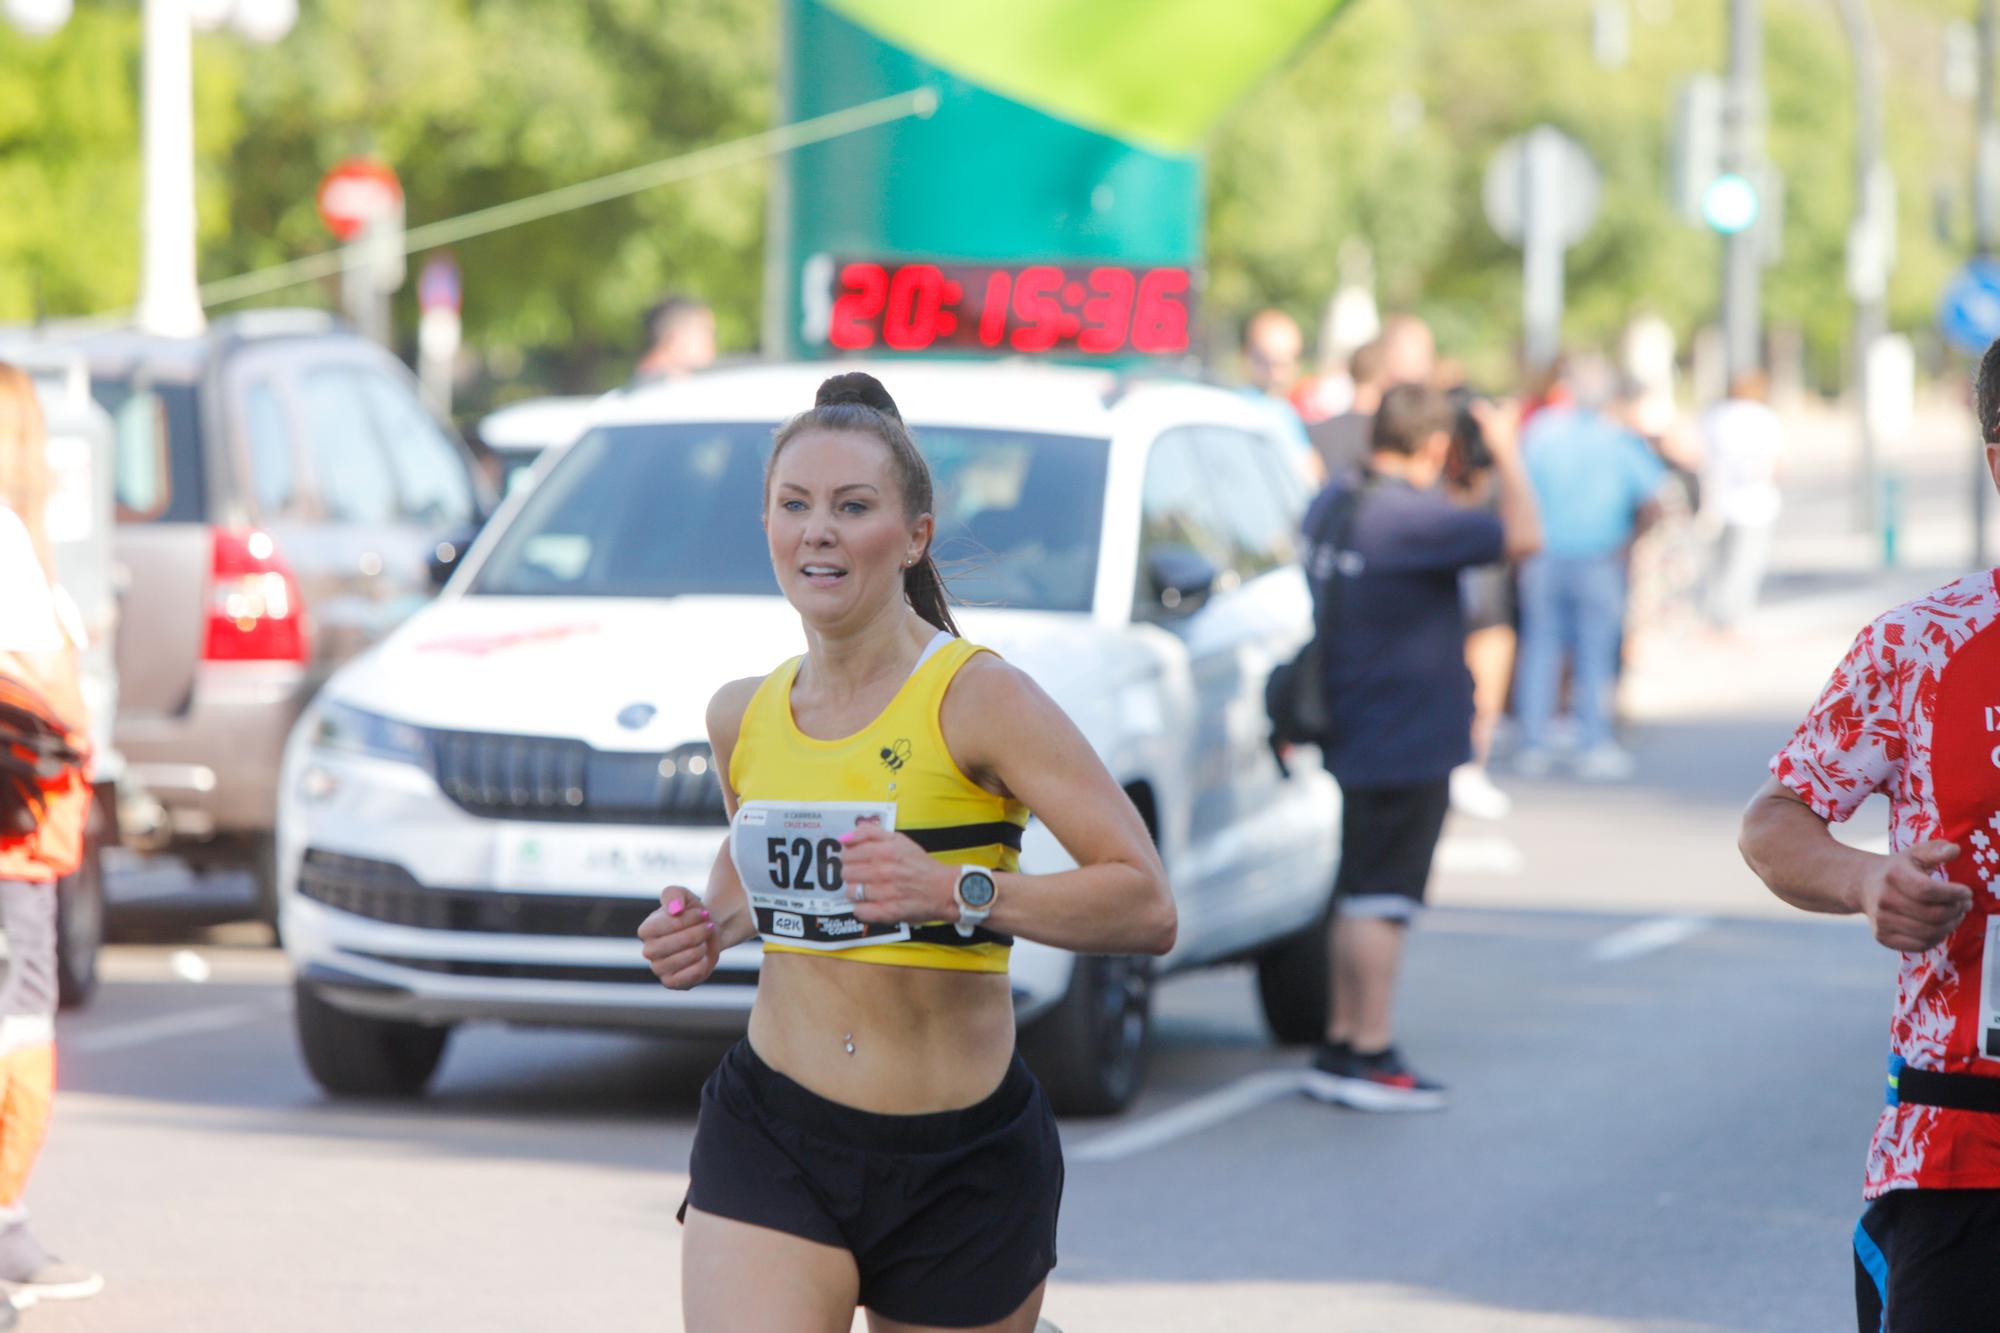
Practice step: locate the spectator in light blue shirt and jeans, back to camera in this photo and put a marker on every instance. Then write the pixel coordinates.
(1595, 481)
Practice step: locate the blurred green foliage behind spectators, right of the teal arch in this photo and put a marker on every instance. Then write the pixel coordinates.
(1381, 131)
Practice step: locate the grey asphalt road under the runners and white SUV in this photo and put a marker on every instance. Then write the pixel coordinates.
(1663, 1088)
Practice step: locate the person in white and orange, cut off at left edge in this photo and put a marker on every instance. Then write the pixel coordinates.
(39, 678)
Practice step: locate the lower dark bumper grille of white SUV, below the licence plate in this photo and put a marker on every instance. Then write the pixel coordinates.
(385, 892)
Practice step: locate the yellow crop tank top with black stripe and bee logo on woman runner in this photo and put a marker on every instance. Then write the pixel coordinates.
(901, 760)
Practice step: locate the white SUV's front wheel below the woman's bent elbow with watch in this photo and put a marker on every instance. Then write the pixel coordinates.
(1091, 1050)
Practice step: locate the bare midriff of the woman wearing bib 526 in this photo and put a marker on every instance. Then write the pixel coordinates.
(925, 1040)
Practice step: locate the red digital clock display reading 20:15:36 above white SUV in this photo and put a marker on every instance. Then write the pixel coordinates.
(1091, 309)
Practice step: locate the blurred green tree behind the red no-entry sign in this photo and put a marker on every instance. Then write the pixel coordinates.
(485, 103)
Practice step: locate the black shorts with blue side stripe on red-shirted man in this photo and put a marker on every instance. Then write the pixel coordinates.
(1925, 1260)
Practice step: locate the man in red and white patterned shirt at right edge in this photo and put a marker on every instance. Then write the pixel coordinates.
(1915, 714)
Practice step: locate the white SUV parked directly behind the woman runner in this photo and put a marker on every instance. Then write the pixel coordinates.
(479, 814)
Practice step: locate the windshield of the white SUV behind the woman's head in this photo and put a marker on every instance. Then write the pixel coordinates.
(673, 509)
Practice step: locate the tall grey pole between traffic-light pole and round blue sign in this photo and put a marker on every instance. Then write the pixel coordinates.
(1871, 239)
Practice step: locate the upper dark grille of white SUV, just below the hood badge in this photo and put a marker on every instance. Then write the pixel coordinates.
(551, 778)
